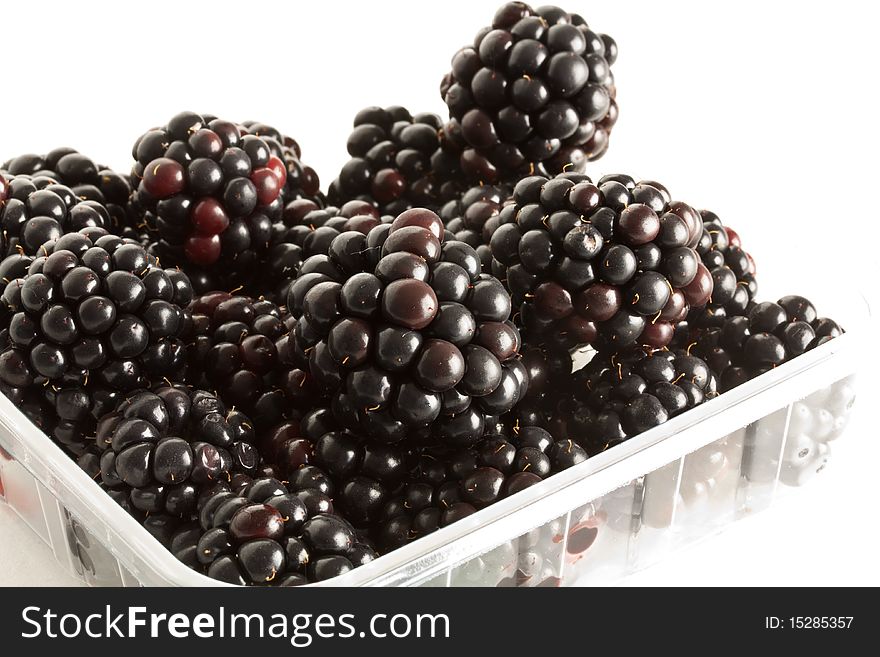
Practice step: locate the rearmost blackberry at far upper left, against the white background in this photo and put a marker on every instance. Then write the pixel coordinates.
(77, 173)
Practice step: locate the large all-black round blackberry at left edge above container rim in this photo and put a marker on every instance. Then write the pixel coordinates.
(94, 317)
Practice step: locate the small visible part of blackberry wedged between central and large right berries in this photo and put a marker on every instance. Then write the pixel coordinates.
(472, 217)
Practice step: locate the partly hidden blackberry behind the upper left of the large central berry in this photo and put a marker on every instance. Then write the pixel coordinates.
(307, 230)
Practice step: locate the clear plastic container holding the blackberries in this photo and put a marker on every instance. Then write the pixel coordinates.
(592, 524)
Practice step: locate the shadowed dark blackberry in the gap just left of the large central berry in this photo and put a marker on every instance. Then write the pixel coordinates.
(233, 345)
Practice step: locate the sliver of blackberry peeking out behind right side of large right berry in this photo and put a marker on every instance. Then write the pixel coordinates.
(732, 271)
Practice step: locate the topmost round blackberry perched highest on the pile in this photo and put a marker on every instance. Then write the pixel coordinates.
(534, 88)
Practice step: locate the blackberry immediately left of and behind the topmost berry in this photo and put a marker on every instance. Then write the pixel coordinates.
(399, 161)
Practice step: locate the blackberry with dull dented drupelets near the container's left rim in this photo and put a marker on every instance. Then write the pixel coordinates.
(163, 447)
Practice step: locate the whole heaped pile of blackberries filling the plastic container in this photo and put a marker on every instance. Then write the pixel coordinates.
(282, 386)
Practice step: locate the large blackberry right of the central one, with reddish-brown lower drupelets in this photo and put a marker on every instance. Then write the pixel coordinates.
(611, 264)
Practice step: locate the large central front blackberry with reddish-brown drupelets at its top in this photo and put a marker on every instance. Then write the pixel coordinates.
(407, 333)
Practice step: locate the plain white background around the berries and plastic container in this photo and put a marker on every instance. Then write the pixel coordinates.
(765, 112)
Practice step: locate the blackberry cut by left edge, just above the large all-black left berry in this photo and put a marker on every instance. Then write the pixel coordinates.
(39, 208)
